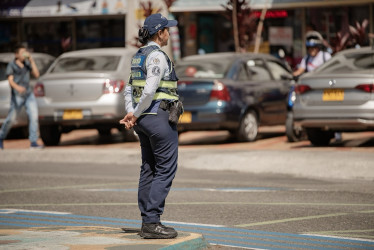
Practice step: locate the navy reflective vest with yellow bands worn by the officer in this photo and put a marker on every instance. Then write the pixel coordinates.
(167, 89)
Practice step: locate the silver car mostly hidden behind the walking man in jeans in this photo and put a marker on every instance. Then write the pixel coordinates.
(42, 61)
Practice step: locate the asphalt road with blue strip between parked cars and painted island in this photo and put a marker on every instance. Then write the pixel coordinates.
(268, 195)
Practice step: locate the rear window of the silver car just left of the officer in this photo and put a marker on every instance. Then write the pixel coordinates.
(89, 63)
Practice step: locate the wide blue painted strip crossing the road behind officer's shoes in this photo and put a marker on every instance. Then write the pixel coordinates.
(215, 234)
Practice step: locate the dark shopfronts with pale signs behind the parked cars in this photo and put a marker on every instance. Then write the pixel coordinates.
(78, 24)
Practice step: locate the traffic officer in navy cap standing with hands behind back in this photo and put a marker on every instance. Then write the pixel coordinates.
(149, 96)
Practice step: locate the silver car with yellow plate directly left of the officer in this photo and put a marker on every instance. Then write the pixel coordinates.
(83, 89)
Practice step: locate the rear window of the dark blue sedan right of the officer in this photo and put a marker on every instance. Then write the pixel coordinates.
(203, 68)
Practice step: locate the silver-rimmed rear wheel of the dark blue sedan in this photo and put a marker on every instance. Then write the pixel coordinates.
(248, 129)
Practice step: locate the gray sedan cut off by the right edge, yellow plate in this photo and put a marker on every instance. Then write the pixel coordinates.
(337, 97)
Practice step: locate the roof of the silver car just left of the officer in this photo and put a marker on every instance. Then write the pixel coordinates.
(99, 51)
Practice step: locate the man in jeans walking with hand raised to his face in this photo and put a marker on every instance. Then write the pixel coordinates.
(18, 74)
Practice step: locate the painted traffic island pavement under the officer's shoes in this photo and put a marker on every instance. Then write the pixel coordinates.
(92, 238)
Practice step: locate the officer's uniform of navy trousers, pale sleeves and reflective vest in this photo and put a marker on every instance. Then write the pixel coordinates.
(158, 138)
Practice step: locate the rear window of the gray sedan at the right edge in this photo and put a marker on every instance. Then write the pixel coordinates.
(349, 63)
